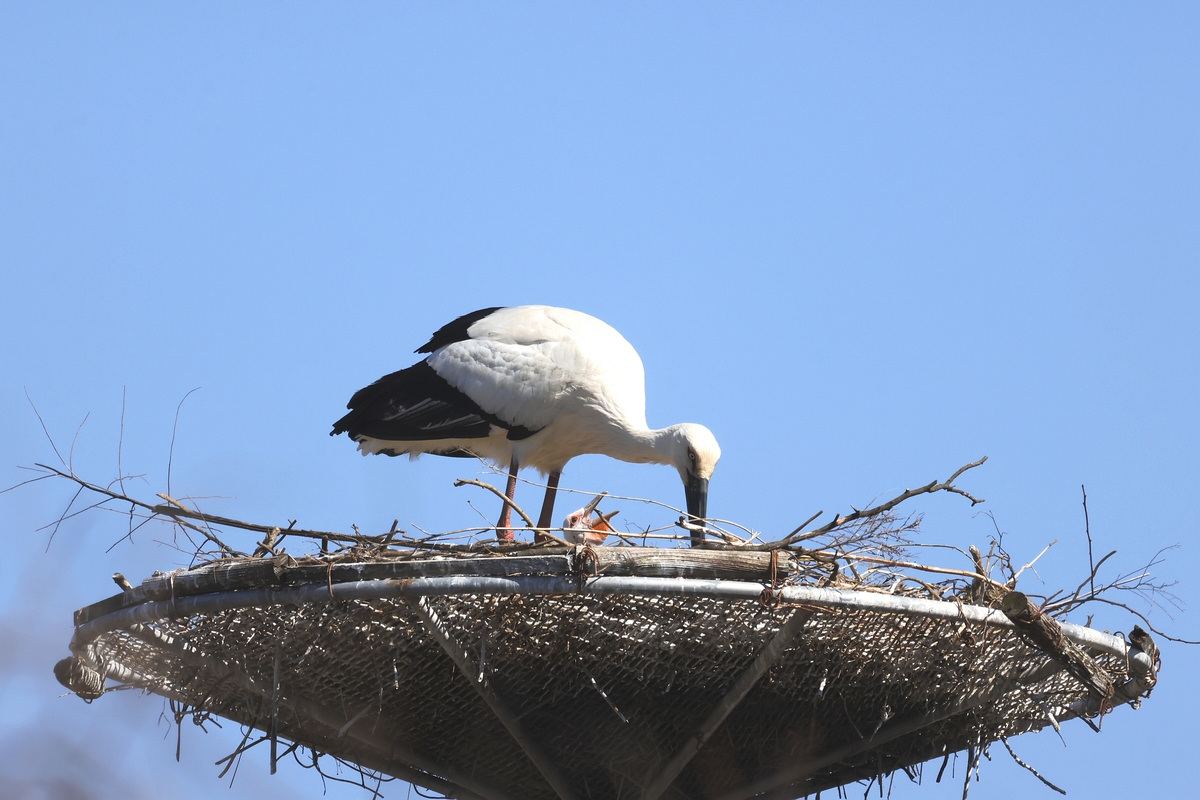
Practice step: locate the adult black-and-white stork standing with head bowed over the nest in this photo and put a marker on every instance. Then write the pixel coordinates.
(529, 387)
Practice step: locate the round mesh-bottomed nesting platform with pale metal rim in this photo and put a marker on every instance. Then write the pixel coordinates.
(603, 673)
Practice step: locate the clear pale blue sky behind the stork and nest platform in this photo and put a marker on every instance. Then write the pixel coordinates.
(865, 244)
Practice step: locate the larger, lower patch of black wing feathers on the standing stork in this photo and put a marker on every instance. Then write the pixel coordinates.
(418, 405)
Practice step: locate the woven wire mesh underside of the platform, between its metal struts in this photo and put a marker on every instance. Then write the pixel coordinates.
(609, 687)
